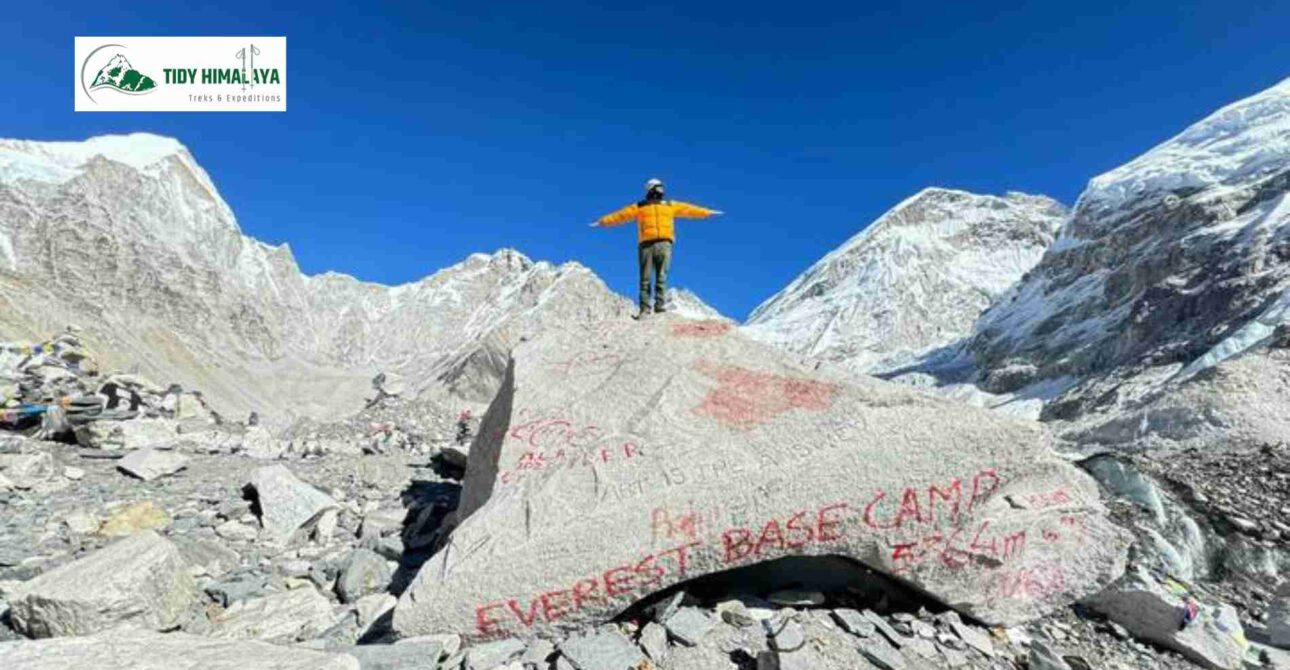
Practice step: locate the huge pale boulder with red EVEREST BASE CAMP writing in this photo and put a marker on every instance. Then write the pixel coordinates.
(621, 459)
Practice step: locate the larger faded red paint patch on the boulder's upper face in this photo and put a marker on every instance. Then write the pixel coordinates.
(745, 398)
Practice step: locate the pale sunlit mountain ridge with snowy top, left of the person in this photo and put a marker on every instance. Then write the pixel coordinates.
(128, 238)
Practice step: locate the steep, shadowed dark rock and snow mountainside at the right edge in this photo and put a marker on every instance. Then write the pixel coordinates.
(1169, 265)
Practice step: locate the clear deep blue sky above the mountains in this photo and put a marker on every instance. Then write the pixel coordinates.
(420, 134)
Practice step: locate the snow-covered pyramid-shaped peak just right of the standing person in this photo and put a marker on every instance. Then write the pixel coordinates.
(913, 281)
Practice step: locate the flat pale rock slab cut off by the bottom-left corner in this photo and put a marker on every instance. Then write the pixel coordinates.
(141, 650)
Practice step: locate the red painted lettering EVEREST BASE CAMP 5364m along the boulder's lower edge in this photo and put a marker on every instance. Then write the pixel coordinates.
(920, 526)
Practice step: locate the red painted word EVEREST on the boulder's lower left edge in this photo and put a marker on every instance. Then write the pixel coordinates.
(631, 578)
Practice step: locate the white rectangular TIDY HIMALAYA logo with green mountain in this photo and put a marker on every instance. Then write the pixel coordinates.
(181, 74)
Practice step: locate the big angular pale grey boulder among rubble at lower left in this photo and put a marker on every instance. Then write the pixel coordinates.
(141, 580)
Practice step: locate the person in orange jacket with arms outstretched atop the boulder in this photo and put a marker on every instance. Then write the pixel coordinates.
(655, 238)
